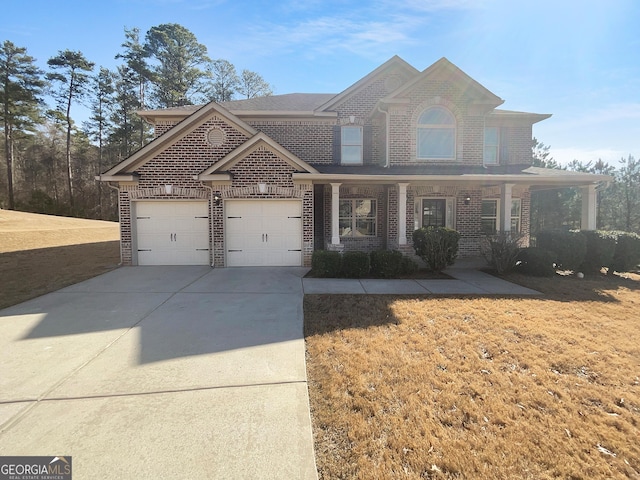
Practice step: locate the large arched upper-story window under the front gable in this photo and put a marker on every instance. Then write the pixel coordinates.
(436, 137)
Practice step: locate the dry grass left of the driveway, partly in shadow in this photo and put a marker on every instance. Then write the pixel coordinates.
(43, 253)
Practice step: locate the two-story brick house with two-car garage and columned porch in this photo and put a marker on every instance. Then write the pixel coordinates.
(265, 181)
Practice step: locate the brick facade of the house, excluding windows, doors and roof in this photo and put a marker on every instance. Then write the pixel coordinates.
(310, 138)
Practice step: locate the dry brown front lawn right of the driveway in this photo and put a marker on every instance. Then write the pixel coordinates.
(504, 388)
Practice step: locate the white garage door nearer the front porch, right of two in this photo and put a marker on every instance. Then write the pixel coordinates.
(263, 232)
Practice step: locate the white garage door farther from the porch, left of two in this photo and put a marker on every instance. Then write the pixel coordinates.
(172, 233)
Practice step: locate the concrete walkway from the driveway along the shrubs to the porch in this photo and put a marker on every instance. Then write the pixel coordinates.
(464, 281)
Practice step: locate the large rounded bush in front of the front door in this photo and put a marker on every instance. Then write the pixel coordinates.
(437, 246)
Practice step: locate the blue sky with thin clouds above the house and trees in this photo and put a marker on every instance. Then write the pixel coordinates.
(576, 59)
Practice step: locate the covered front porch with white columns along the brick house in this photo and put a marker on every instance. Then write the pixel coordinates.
(366, 216)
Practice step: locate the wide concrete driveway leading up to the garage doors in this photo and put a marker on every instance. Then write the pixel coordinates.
(161, 372)
